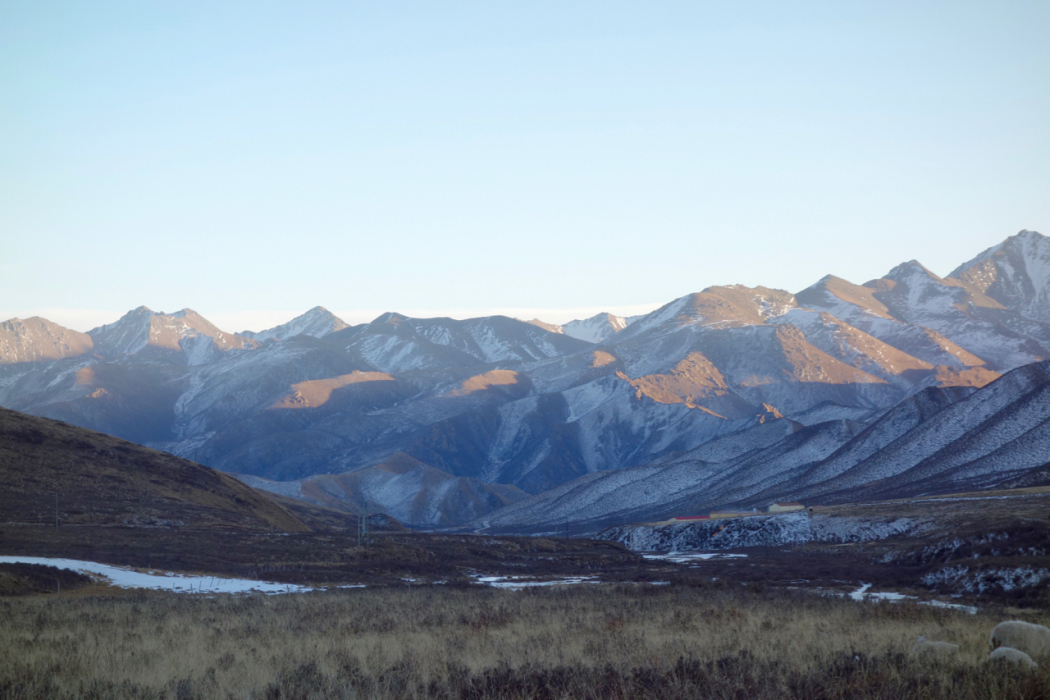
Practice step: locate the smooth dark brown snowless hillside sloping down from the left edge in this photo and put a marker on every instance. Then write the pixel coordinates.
(51, 470)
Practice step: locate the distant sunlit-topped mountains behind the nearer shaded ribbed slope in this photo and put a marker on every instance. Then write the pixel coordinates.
(518, 404)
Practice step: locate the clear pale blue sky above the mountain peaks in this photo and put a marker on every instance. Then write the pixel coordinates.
(251, 161)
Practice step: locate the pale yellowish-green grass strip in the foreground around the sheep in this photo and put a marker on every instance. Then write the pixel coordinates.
(584, 642)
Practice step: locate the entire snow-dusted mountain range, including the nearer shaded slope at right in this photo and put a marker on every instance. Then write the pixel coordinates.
(726, 393)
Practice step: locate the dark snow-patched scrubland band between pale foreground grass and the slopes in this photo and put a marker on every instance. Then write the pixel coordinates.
(993, 548)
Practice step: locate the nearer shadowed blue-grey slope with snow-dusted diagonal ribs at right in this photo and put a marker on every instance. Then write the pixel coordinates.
(938, 441)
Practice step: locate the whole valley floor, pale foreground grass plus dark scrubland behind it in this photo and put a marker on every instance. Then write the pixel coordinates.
(444, 616)
